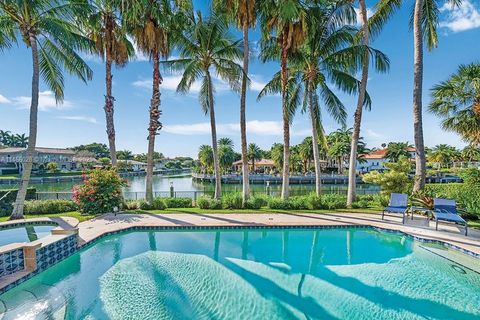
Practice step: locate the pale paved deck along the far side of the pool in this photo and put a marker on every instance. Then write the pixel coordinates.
(418, 227)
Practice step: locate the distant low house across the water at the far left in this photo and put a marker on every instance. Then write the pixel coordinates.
(64, 158)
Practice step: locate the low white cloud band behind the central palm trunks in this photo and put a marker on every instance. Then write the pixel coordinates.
(255, 127)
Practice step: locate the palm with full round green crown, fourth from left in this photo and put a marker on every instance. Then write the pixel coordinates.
(205, 47)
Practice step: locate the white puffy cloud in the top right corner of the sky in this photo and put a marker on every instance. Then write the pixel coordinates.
(464, 17)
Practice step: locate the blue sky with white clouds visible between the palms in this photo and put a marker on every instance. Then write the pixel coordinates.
(81, 119)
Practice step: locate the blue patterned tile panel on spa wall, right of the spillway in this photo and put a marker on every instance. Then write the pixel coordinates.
(55, 252)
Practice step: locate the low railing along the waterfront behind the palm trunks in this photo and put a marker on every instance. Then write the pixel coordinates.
(137, 195)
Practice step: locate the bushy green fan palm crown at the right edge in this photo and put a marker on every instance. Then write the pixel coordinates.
(457, 102)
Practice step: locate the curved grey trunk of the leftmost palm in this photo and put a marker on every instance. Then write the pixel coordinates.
(32, 138)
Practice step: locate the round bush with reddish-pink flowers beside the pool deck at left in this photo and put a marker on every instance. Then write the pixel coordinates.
(100, 192)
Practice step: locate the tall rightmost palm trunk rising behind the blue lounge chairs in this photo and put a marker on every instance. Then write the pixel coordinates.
(420, 161)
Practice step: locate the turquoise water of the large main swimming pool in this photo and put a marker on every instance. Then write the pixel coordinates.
(252, 274)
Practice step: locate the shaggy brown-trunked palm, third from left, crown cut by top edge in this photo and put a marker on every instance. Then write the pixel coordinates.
(153, 24)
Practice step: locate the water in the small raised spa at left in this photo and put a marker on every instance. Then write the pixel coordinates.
(25, 233)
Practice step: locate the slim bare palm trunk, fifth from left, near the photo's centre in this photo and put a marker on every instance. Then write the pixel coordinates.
(243, 122)
